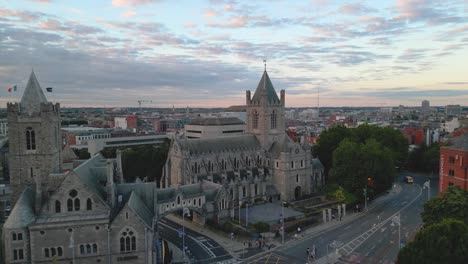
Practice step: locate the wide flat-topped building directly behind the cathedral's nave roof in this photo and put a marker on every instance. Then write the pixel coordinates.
(214, 127)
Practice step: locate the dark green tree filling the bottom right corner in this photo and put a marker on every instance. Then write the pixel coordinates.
(444, 242)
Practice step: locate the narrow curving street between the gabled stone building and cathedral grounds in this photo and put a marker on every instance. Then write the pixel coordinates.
(202, 249)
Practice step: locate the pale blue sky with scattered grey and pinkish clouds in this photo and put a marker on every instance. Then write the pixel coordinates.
(207, 53)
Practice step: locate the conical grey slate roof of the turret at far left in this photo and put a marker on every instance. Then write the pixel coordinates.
(22, 214)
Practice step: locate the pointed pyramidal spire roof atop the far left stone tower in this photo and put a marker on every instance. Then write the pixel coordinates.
(32, 96)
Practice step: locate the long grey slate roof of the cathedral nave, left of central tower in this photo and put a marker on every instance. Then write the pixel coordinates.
(208, 145)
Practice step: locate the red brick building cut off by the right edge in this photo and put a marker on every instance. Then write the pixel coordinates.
(454, 164)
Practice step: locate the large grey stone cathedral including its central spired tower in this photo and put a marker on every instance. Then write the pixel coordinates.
(264, 164)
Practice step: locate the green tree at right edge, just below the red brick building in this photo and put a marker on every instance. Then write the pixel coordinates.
(454, 204)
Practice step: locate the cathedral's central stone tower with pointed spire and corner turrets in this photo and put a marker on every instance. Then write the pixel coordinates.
(265, 113)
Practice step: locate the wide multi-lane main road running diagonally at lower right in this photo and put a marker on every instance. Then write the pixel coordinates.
(369, 239)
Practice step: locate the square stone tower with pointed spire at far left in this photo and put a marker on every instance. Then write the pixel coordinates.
(35, 141)
